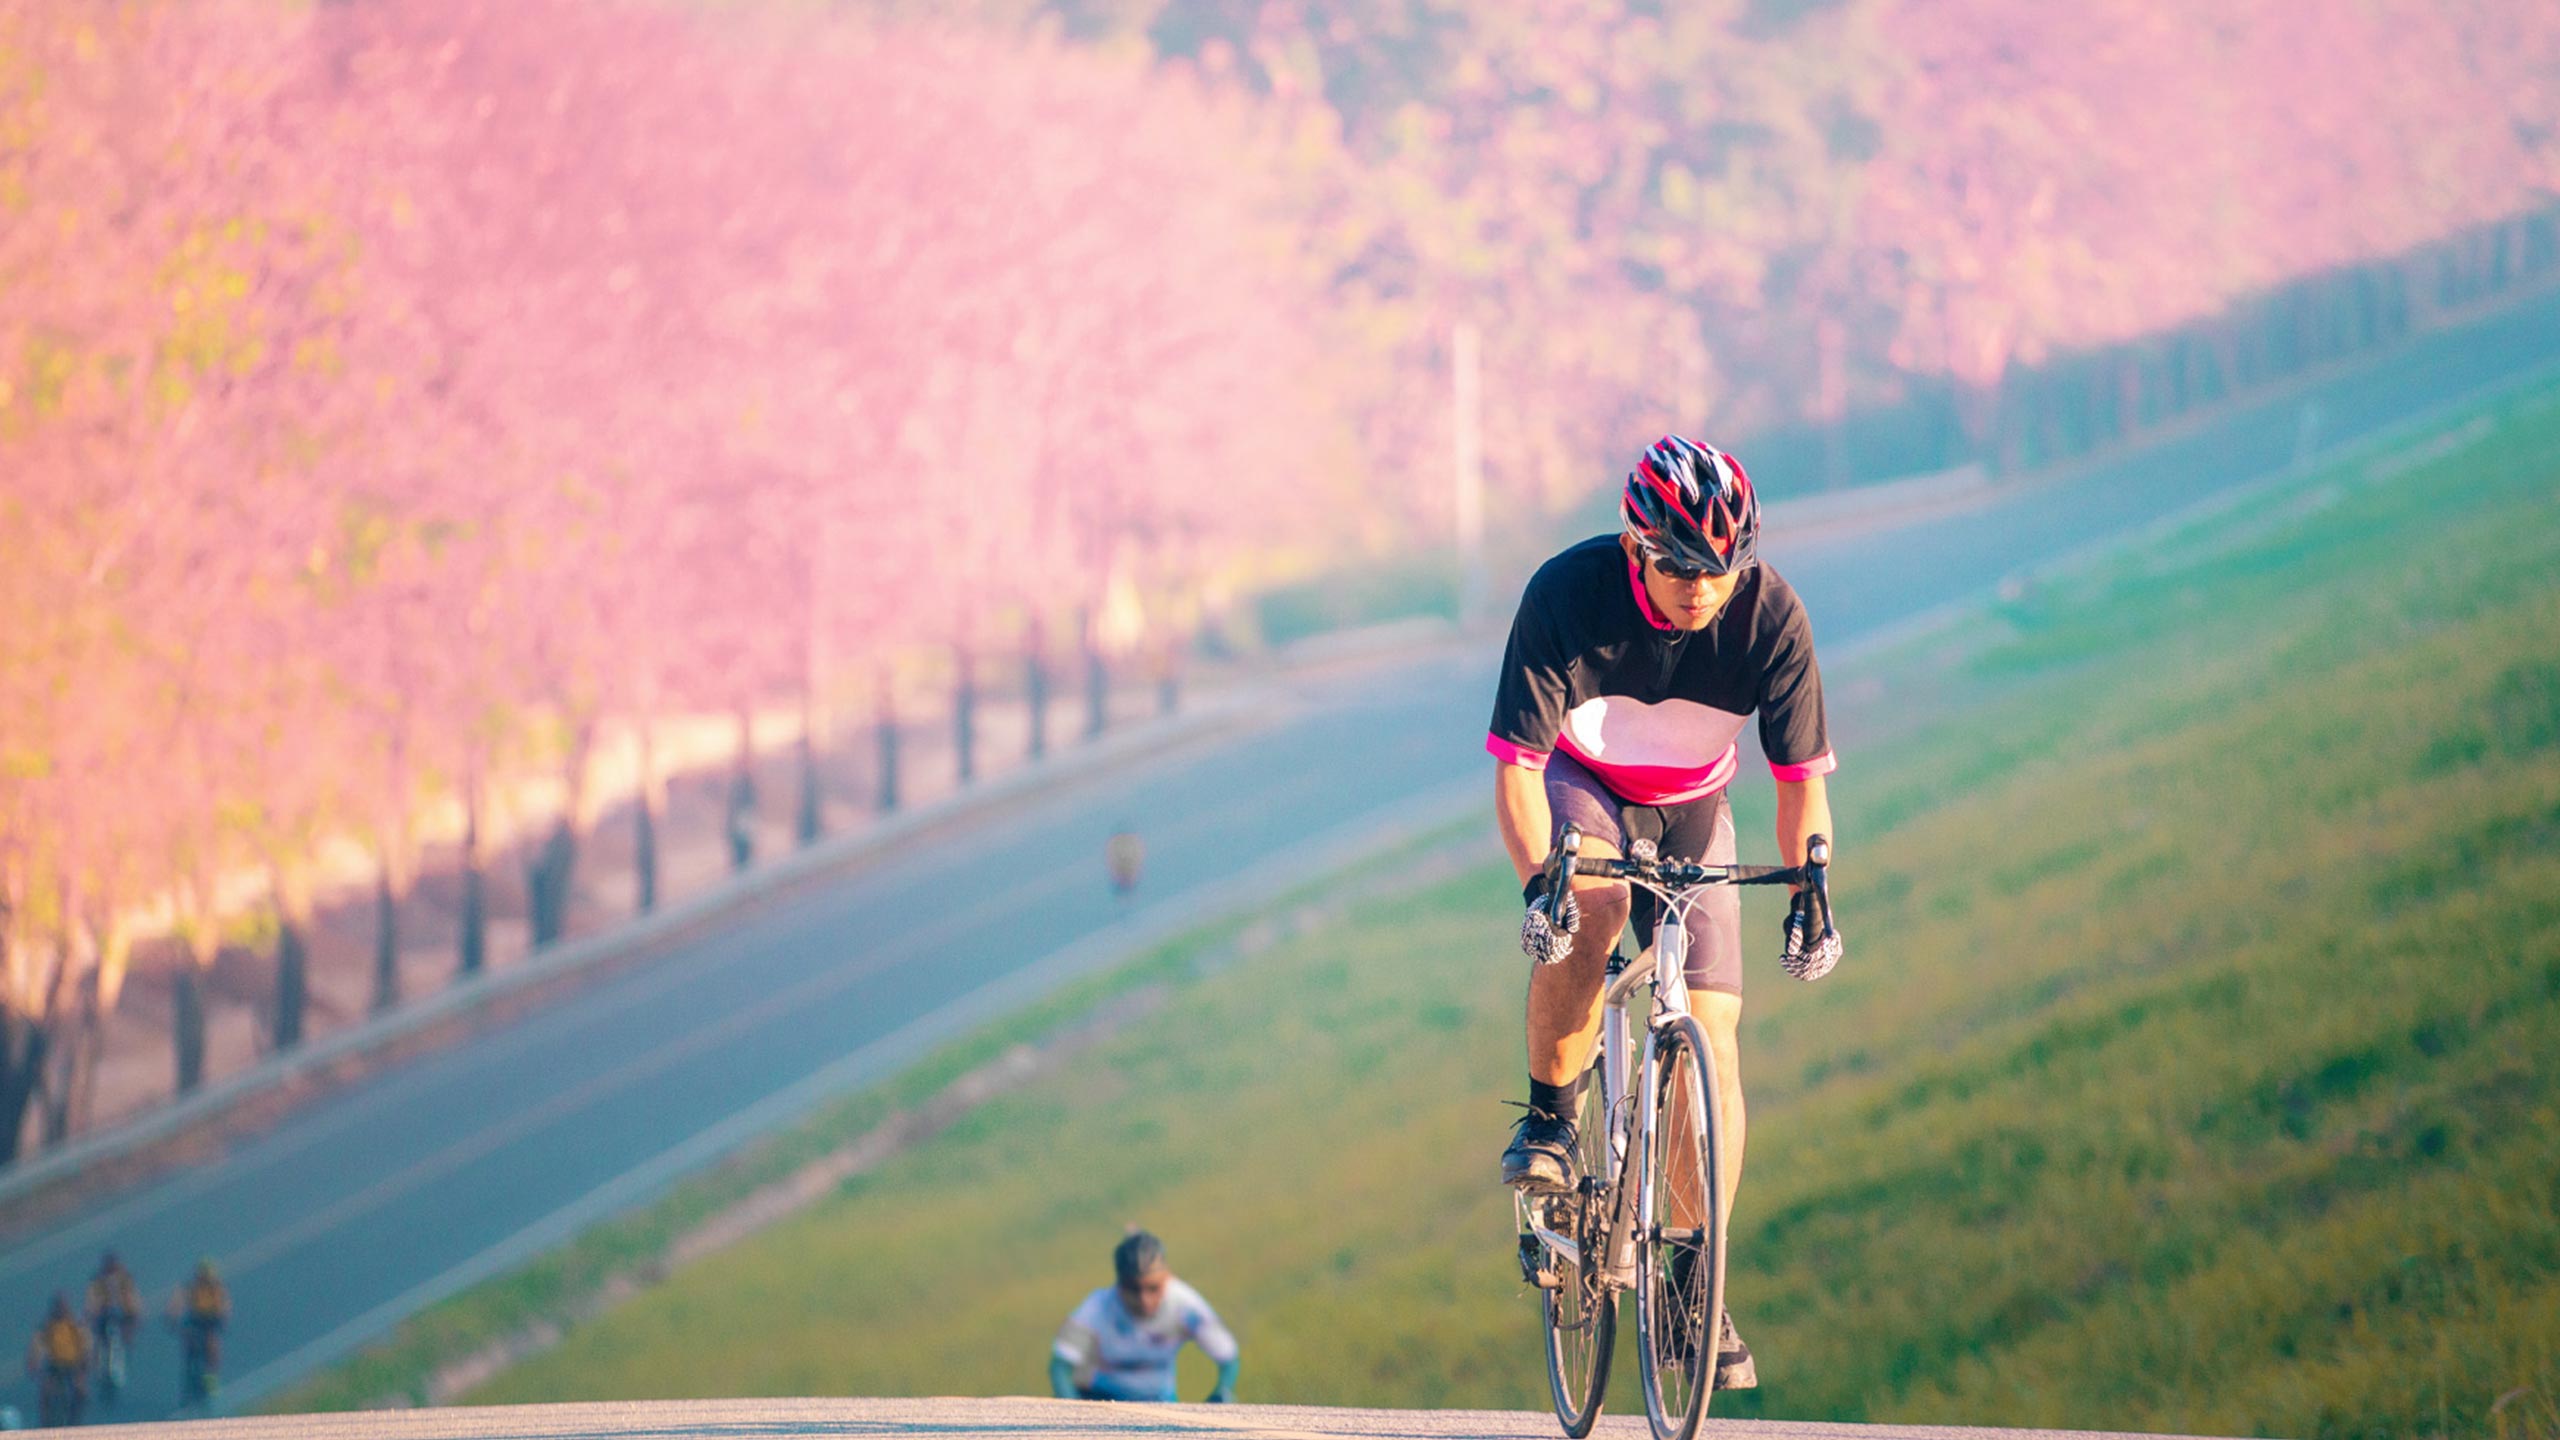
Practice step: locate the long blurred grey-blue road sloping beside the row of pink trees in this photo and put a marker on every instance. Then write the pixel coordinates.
(378, 1200)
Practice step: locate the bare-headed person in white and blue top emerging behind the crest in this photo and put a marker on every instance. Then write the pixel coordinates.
(1123, 1339)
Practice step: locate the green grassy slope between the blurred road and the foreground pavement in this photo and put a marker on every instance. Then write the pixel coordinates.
(2190, 1070)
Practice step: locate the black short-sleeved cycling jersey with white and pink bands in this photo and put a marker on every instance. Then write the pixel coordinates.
(1652, 711)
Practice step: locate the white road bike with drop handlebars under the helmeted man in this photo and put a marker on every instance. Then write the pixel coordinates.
(1645, 1211)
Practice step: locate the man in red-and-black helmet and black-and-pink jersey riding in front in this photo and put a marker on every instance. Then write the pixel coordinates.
(1632, 670)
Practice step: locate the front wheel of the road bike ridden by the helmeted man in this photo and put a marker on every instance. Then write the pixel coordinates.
(1678, 1326)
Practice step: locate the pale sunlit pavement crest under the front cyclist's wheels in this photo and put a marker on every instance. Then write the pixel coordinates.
(1005, 1421)
